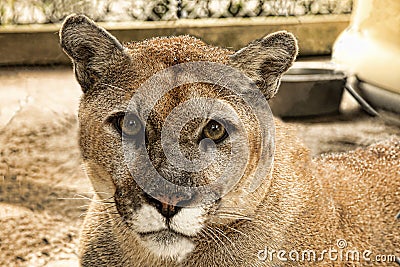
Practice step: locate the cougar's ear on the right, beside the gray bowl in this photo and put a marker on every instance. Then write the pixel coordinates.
(266, 60)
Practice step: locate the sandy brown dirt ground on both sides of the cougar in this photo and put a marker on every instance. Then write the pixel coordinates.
(43, 191)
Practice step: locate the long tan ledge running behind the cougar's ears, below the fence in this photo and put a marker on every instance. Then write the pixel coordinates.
(38, 44)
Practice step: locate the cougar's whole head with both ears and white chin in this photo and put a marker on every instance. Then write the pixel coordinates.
(160, 166)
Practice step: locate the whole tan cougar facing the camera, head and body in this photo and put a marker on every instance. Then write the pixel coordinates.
(346, 202)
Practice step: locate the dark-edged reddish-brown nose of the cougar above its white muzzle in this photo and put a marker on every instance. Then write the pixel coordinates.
(169, 205)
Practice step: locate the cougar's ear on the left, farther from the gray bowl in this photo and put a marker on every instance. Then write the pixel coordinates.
(92, 49)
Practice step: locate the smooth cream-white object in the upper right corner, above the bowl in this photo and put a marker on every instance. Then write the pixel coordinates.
(370, 46)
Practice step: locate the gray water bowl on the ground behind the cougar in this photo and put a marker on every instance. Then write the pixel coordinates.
(309, 89)
